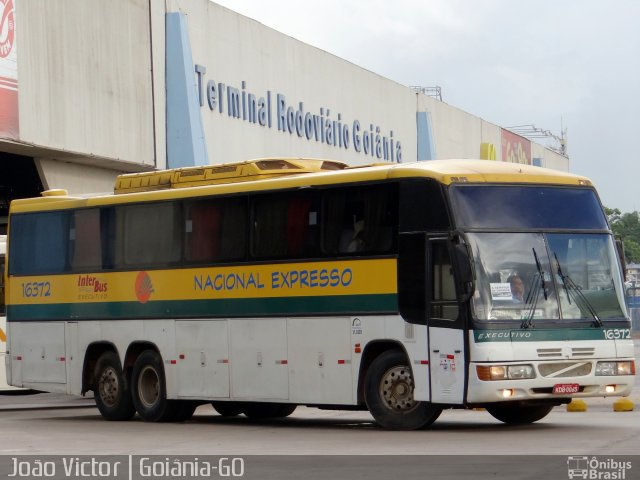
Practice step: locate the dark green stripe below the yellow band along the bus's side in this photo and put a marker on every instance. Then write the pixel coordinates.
(338, 304)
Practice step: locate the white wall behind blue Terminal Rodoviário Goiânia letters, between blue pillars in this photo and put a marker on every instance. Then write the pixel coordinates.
(234, 49)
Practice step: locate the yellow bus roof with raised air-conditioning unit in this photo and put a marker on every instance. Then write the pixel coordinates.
(282, 173)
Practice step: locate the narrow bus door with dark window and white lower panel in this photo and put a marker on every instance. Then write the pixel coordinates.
(446, 326)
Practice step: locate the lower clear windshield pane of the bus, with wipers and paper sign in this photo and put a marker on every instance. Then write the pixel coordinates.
(535, 276)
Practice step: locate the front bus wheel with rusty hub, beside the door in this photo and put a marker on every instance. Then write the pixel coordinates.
(388, 393)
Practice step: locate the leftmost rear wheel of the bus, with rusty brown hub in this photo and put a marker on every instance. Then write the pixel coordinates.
(111, 392)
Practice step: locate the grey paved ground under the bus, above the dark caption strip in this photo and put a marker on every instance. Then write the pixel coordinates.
(55, 424)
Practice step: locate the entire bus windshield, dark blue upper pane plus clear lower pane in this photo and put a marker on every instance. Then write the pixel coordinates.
(526, 269)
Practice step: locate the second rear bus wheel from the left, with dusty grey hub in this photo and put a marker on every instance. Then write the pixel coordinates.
(150, 390)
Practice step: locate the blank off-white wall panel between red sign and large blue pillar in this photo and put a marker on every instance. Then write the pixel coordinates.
(84, 69)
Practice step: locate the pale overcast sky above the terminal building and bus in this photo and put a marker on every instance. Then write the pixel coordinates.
(551, 63)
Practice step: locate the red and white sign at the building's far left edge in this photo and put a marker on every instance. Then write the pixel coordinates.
(8, 72)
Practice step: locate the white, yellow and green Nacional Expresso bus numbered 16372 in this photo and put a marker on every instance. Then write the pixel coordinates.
(264, 285)
